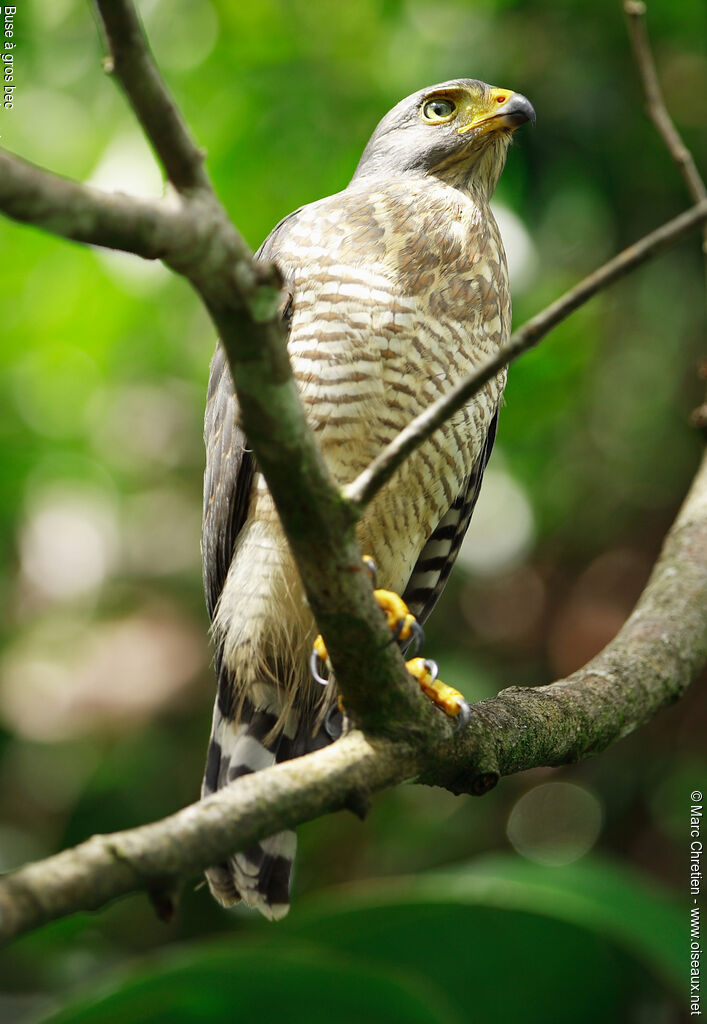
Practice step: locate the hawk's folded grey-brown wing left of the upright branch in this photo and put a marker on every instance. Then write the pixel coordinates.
(230, 464)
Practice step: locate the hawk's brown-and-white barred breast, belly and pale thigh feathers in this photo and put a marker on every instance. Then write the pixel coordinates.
(372, 344)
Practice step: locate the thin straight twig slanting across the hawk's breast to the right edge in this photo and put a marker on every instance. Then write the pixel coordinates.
(363, 489)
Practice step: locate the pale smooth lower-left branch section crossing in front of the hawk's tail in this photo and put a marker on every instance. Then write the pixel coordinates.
(154, 857)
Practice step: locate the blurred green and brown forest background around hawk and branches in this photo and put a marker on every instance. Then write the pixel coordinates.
(561, 897)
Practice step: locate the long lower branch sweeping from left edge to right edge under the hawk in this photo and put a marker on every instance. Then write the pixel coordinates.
(654, 658)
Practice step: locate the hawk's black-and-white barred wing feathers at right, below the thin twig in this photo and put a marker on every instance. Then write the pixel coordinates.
(437, 559)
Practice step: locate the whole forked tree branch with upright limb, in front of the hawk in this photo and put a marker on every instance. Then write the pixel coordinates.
(649, 665)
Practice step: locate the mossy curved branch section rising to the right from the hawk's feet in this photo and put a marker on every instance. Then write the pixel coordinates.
(649, 665)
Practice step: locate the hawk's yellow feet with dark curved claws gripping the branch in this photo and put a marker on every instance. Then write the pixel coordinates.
(405, 629)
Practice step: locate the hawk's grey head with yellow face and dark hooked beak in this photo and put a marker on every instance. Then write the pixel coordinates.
(459, 131)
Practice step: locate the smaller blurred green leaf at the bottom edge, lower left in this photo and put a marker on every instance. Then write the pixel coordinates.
(224, 983)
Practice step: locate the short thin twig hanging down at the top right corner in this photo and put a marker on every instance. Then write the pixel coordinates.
(657, 110)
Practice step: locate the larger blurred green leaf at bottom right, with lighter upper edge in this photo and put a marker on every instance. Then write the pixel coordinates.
(528, 942)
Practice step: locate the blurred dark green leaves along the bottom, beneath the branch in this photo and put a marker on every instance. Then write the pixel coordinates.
(501, 942)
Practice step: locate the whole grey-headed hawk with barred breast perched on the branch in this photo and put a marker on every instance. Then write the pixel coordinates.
(396, 288)
